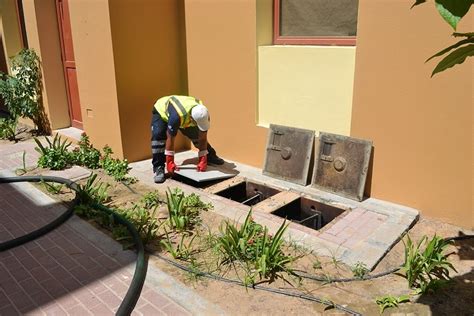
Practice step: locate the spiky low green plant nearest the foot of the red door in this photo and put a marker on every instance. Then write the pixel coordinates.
(54, 156)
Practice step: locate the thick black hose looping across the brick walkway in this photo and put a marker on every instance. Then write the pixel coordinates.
(138, 279)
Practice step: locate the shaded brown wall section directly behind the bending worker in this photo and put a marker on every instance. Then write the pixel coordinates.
(150, 62)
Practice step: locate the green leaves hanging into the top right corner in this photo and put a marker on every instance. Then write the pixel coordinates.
(452, 11)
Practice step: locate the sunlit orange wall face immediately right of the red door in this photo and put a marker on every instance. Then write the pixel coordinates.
(92, 36)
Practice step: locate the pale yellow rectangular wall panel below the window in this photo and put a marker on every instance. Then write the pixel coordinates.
(306, 87)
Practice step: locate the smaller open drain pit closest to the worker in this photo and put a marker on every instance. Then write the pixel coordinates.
(248, 193)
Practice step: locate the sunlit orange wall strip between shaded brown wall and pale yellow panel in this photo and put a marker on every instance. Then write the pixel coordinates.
(222, 71)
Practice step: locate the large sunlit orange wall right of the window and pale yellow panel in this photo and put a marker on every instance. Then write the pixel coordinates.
(422, 127)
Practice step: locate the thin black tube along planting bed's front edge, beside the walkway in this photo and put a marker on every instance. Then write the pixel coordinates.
(258, 287)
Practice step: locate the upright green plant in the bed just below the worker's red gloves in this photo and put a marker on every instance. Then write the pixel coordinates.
(181, 217)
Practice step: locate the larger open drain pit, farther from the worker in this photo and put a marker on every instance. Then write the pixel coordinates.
(310, 213)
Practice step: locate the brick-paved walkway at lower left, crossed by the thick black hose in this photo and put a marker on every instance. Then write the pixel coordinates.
(75, 269)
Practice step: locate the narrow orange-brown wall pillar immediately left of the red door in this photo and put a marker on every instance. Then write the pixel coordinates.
(43, 36)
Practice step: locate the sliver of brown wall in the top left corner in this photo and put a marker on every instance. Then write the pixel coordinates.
(12, 42)
